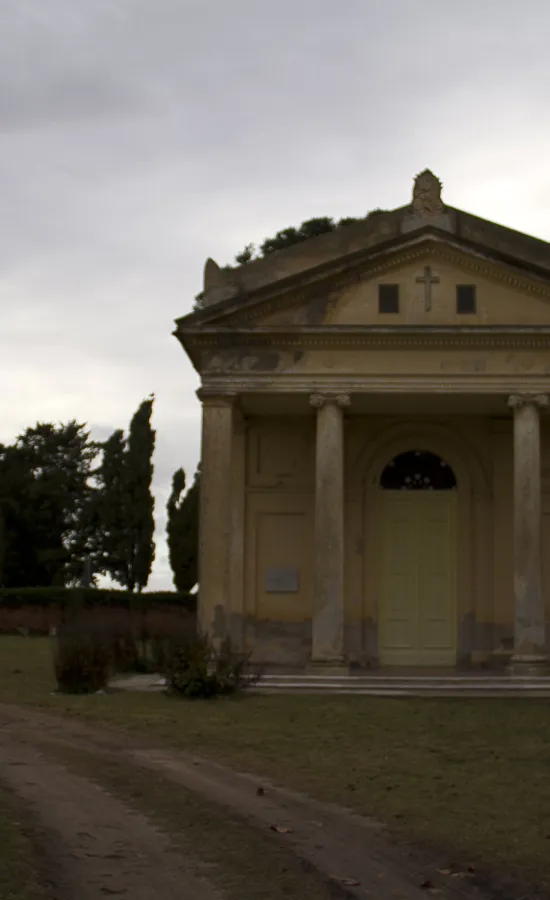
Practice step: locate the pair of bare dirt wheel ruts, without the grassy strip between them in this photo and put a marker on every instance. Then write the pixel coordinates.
(354, 853)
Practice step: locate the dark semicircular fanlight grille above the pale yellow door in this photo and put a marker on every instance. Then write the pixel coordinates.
(418, 470)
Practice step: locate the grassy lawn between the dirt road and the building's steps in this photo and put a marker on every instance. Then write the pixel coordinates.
(471, 775)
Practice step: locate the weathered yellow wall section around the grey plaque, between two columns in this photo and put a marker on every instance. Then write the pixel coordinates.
(280, 485)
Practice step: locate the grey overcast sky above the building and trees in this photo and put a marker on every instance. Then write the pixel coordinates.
(138, 137)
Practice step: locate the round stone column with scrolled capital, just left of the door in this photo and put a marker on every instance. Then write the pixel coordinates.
(328, 613)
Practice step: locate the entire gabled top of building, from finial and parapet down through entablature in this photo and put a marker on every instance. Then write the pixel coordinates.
(470, 305)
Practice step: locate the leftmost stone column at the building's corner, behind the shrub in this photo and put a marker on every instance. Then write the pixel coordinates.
(215, 515)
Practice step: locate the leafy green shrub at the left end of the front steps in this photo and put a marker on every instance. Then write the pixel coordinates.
(194, 668)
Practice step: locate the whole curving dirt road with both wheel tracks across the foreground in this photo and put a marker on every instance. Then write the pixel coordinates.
(99, 845)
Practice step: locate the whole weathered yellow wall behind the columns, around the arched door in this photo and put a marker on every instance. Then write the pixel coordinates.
(279, 531)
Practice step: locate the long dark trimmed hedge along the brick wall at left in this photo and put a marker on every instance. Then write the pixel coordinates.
(15, 598)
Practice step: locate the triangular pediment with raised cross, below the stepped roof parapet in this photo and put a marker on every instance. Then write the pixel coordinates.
(346, 293)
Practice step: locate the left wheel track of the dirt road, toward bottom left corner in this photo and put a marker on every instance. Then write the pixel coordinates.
(97, 846)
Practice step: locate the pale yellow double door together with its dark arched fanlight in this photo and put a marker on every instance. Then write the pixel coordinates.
(418, 577)
